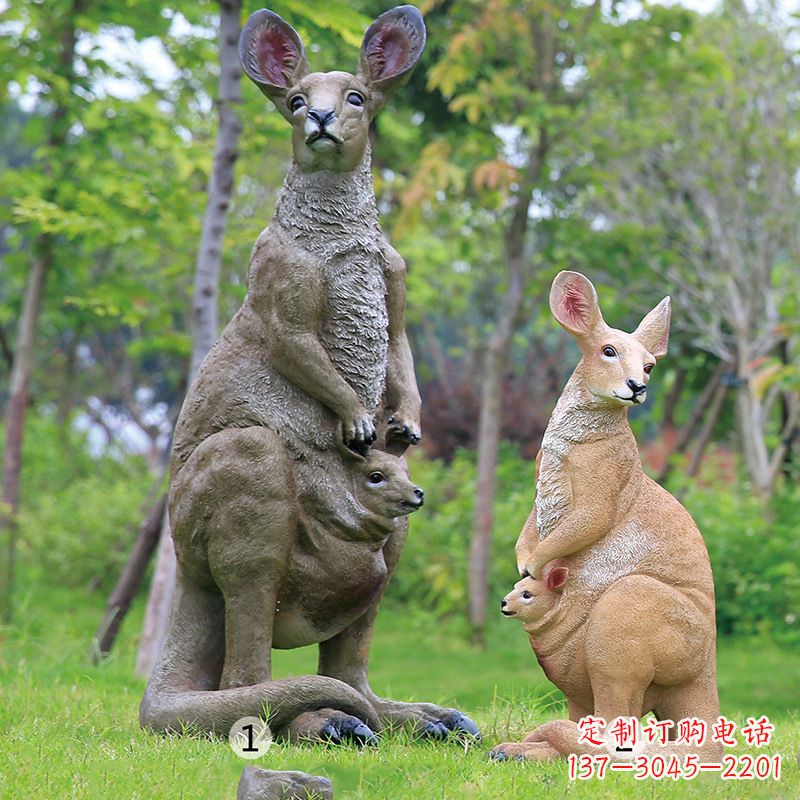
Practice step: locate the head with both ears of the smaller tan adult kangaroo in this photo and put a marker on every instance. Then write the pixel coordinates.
(616, 365)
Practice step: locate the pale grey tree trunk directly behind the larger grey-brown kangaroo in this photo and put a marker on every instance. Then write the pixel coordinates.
(204, 310)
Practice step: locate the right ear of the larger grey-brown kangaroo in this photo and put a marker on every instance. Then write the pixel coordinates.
(391, 48)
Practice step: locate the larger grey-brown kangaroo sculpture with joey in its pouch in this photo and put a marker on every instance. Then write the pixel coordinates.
(276, 533)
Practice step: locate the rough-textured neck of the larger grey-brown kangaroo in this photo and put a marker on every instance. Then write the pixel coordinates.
(330, 211)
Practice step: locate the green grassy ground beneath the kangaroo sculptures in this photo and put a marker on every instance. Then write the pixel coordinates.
(69, 730)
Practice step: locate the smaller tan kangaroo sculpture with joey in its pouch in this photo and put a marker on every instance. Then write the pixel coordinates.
(619, 604)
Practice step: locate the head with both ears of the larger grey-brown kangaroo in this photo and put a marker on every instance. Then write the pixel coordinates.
(330, 112)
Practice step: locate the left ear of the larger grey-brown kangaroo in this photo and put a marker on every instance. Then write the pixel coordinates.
(272, 56)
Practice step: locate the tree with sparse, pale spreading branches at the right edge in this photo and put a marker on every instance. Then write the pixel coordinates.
(716, 184)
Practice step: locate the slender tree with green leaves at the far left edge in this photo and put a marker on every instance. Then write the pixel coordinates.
(57, 84)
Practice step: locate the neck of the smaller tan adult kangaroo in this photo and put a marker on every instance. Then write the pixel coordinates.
(580, 417)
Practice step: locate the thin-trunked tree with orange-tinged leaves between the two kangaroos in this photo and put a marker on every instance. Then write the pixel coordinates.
(526, 101)
